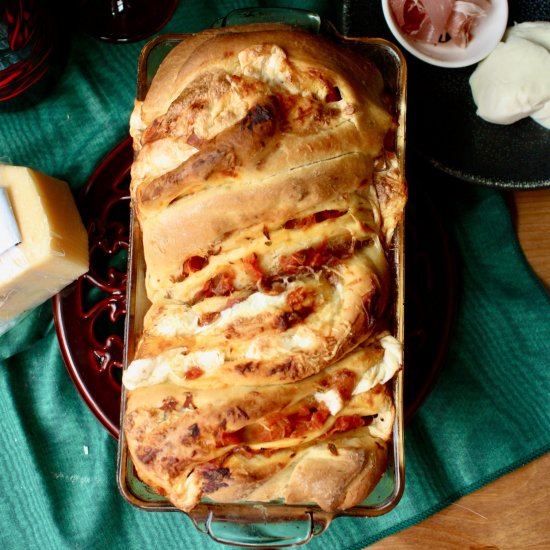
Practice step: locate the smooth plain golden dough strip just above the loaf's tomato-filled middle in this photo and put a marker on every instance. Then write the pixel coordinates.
(252, 201)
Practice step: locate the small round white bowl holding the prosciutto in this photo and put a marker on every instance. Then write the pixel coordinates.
(486, 34)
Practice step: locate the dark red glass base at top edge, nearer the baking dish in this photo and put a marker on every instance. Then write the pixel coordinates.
(124, 20)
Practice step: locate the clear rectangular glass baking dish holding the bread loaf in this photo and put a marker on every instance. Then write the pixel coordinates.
(273, 524)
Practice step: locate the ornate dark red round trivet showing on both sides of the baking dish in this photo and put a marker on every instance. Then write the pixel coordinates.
(89, 314)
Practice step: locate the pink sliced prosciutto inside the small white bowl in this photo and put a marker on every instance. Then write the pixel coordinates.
(434, 21)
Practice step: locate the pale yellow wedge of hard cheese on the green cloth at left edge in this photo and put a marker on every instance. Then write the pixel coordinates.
(53, 247)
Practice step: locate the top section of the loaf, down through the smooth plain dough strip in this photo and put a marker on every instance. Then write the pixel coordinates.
(276, 152)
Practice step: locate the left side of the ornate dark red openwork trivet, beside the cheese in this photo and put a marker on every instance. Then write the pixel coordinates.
(89, 314)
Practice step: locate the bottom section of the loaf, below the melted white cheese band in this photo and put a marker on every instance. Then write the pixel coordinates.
(224, 428)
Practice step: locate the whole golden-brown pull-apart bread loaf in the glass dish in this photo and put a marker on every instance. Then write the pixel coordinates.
(263, 369)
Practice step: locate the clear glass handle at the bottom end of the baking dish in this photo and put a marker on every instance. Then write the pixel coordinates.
(263, 532)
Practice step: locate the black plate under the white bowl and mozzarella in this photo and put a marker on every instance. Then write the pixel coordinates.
(442, 125)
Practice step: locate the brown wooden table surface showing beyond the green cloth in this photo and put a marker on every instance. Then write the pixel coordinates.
(514, 511)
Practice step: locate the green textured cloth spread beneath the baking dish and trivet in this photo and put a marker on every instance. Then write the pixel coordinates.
(487, 414)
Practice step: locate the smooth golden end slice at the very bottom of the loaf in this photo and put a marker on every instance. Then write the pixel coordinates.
(335, 473)
